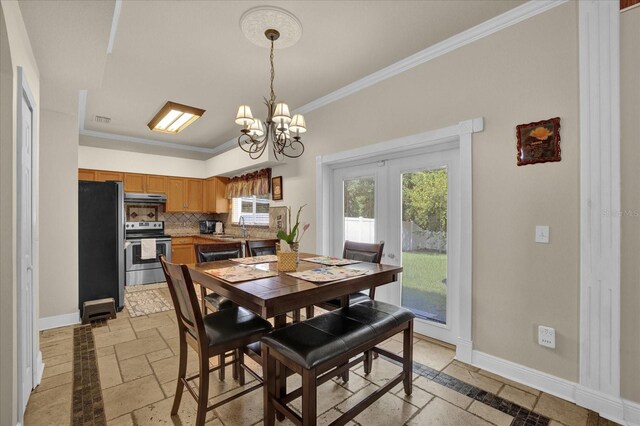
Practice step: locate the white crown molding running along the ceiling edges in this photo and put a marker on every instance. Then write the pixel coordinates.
(493, 25)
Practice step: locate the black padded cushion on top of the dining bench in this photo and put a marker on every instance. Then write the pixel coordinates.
(317, 340)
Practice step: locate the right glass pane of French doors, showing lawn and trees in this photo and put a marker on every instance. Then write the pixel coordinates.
(424, 243)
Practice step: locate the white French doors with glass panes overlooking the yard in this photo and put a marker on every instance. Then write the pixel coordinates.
(411, 203)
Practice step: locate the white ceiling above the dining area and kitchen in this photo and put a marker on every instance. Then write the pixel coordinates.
(193, 52)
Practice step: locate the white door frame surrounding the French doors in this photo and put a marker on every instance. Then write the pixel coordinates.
(461, 133)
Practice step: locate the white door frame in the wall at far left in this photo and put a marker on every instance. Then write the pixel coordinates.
(24, 334)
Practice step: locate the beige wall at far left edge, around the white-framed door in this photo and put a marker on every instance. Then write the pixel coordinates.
(16, 51)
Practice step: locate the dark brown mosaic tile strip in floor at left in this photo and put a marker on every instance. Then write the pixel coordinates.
(87, 406)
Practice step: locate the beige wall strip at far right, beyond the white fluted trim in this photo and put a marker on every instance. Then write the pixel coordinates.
(630, 250)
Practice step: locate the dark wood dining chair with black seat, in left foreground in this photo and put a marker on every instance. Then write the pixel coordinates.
(225, 331)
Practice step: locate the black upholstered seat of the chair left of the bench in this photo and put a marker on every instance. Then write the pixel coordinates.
(233, 324)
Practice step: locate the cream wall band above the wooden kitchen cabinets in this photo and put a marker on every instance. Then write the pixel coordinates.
(123, 161)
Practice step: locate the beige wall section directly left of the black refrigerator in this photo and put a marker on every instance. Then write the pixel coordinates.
(59, 226)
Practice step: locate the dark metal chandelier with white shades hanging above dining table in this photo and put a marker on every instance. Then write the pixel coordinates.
(280, 127)
